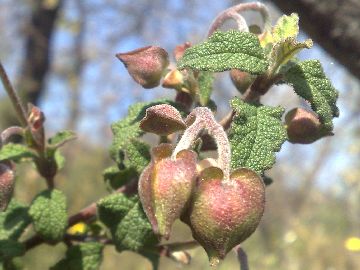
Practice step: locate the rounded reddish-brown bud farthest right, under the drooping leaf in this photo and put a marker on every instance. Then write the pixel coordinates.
(302, 126)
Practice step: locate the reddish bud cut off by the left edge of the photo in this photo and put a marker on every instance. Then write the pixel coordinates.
(7, 178)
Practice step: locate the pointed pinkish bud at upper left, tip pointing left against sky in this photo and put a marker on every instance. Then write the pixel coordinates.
(146, 65)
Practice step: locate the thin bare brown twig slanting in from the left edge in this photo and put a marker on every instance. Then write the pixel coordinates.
(15, 100)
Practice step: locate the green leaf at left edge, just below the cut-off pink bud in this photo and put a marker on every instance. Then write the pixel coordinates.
(13, 221)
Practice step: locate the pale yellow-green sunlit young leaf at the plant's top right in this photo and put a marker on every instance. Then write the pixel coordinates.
(286, 27)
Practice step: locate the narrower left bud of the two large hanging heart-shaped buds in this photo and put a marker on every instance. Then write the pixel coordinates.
(165, 187)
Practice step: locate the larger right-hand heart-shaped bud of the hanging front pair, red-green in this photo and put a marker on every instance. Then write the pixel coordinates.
(224, 213)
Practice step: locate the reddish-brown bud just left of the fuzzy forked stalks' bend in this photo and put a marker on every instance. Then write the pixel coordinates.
(162, 119)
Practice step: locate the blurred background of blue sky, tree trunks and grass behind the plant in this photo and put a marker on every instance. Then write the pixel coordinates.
(60, 55)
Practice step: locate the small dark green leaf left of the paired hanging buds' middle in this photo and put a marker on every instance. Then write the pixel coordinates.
(117, 178)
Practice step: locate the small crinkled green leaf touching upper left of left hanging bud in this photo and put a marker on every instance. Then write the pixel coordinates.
(138, 155)
